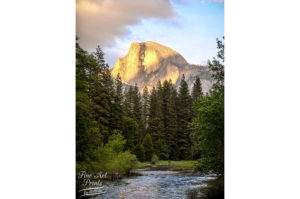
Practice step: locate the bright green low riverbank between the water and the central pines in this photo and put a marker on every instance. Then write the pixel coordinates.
(181, 165)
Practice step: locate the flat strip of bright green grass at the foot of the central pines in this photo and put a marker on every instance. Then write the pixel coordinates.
(181, 164)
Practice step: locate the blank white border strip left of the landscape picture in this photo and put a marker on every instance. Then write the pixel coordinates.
(37, 103)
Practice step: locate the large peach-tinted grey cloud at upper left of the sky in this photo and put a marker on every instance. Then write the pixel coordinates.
(101, 22)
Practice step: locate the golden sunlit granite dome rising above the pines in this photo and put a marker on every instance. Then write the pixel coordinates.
(148, 62)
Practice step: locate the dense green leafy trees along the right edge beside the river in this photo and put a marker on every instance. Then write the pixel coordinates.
(208, 125)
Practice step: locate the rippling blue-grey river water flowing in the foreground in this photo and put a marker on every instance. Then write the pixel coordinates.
(153, 184)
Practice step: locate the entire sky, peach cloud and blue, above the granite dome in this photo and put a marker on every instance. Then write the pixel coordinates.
(188, 26)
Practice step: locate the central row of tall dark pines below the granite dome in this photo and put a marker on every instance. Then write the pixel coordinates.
(159, 117)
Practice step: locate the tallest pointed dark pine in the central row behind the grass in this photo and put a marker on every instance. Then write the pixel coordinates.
(184, 117)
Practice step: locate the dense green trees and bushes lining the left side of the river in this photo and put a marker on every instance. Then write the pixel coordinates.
(100, 143)
